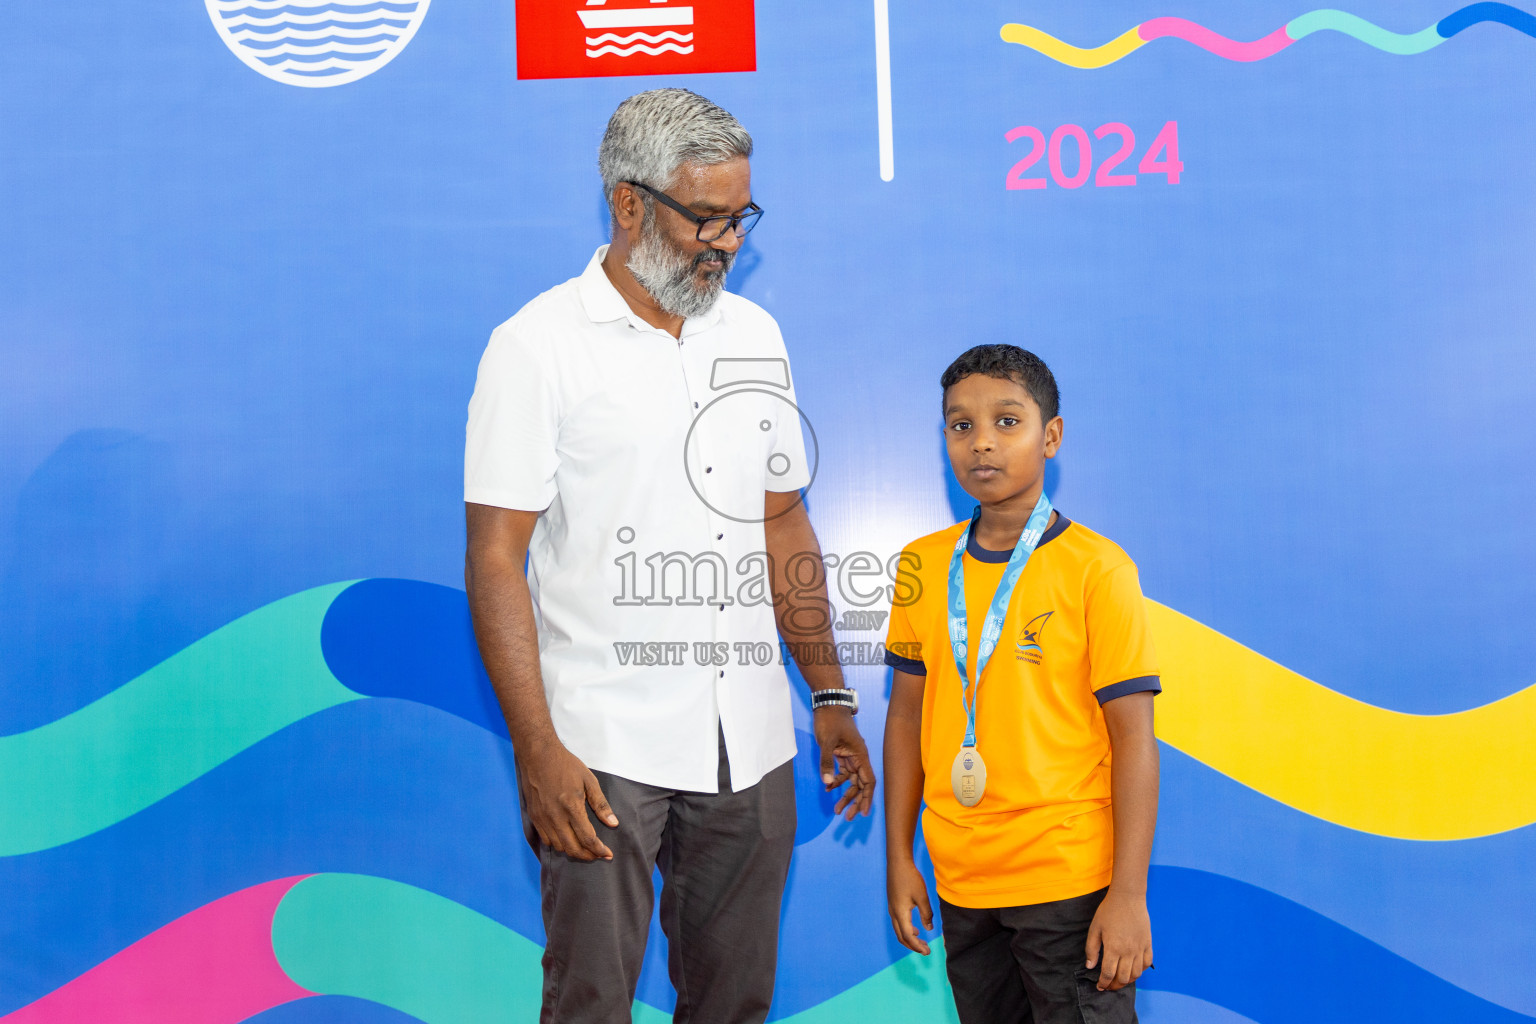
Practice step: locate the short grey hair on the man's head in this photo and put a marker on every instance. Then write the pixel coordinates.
(652, 134)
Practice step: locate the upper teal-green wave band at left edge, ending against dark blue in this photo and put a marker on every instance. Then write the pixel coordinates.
(162, 730)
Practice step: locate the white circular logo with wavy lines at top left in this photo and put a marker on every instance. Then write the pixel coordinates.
(317, 44)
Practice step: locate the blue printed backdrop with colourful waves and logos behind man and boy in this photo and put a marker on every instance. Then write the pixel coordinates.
(1282, 263)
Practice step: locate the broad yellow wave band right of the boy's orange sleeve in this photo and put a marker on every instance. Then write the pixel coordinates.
(1412, 778)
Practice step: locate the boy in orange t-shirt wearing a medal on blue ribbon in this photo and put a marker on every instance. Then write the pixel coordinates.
(1041, 839)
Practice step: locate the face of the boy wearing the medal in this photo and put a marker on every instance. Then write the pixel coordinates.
(998, 444)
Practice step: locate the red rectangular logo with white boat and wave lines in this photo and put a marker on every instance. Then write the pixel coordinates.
(586, 39)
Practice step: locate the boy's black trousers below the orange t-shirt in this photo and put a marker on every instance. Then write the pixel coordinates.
(1025, 966)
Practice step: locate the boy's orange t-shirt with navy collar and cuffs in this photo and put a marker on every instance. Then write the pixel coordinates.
(1076, 636)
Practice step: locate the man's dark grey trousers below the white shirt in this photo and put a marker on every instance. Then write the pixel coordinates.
(724, 859)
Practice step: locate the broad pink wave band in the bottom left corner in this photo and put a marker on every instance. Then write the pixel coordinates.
(211, 966)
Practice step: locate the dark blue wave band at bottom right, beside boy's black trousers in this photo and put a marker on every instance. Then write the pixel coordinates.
(1280, 963)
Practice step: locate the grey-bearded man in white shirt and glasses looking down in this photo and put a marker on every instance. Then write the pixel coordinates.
(634, 440)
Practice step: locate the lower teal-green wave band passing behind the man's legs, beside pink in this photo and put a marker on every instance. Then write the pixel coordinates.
(443, 963)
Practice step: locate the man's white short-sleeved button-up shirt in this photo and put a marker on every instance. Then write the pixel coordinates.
(649, 457)
